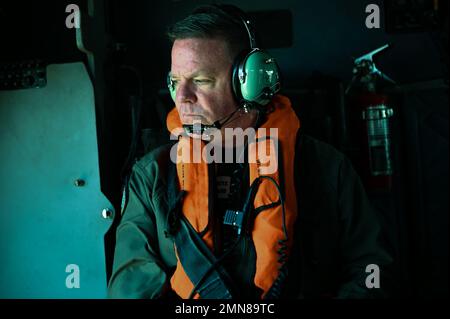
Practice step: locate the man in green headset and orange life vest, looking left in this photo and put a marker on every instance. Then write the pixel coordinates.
(196, 229)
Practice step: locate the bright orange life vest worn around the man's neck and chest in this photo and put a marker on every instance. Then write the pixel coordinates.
(268, 225)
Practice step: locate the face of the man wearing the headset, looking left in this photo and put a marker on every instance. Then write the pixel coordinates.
(201, 71)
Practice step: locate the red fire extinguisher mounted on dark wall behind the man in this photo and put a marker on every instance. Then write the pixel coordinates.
(372, 113)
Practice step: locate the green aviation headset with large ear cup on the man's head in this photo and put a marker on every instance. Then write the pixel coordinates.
(255, 74)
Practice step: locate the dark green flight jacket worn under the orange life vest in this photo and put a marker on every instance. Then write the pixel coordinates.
(337, 232)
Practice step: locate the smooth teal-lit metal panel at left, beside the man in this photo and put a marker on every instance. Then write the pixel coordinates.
(48, 141)
